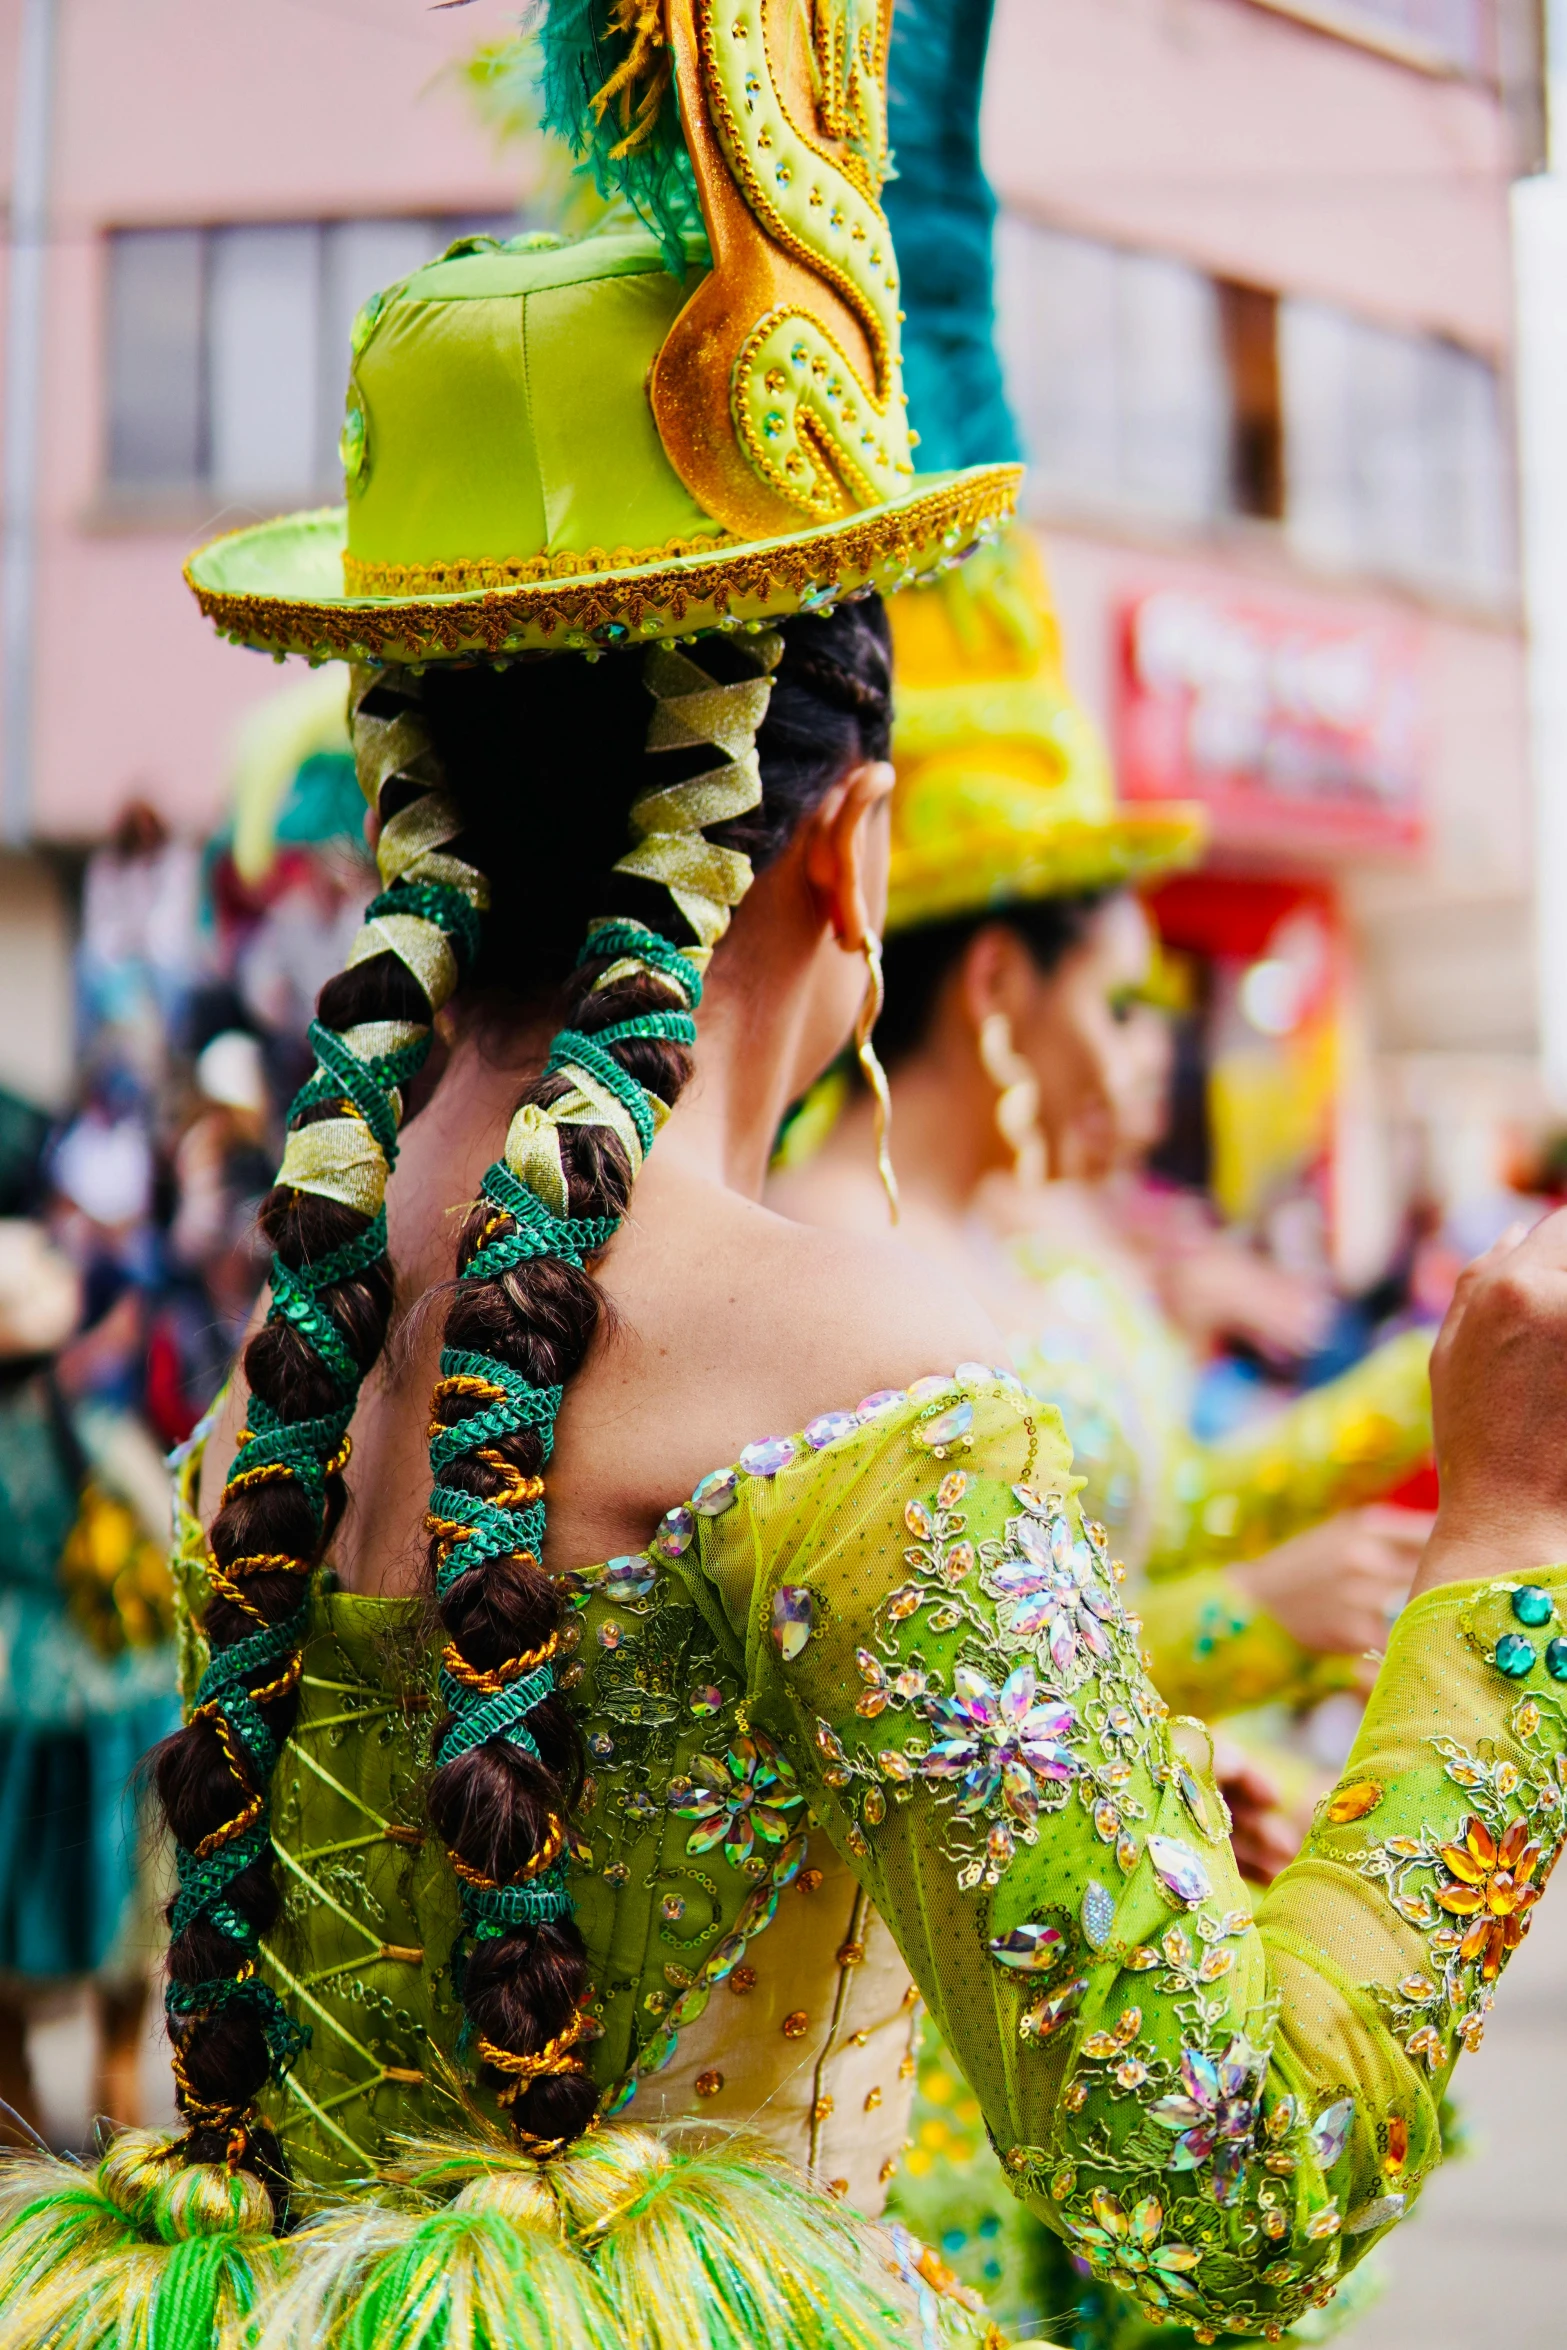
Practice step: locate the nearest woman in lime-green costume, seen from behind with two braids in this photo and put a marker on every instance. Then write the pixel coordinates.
(499, 1869)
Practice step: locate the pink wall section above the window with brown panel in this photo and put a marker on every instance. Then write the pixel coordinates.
(1258, 149)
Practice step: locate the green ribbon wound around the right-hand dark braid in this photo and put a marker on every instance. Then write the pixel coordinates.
(497, 1531)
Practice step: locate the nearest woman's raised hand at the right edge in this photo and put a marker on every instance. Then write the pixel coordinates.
(1500, 1411)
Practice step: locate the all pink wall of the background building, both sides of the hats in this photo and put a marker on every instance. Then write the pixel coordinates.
(1216, 130)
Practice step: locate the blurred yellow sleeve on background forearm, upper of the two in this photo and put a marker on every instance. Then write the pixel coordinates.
(1333, 1449)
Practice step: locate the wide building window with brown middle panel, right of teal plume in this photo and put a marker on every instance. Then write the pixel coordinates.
(1152, 391)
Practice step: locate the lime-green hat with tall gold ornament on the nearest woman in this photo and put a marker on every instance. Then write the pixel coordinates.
(567, 445)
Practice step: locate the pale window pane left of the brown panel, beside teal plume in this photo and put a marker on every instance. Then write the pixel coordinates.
(1119, 375)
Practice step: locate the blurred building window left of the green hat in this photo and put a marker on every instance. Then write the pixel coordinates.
(229, 349)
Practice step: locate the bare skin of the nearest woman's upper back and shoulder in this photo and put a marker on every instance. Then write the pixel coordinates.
(722, 1327)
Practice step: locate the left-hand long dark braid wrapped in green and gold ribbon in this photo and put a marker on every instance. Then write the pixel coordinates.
(332, 1294)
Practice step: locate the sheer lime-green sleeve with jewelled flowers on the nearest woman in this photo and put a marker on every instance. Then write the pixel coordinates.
(1220, 2114)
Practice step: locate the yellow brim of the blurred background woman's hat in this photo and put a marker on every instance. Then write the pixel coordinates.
(1134, 845)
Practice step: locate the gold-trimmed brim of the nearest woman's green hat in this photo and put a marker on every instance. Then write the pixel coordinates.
(278, 584)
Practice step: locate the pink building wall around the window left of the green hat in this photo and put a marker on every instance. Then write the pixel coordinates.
(175, 112)
